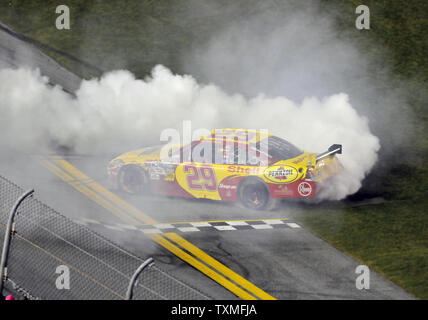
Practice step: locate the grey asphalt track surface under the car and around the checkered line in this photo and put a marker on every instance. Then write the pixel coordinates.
(283, 263)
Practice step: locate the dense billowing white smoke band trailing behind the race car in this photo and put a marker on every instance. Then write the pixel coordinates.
(119, 111)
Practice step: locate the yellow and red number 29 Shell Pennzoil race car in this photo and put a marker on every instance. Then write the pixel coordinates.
(247, 166)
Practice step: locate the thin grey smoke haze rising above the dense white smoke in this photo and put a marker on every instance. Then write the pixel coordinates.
(296, 49)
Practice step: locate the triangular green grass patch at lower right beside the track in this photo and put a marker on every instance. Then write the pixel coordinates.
(391, 238)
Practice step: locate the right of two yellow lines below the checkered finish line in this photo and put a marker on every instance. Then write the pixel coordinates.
(219, 266)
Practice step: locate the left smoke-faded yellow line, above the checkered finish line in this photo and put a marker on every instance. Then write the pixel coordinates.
(88, 192)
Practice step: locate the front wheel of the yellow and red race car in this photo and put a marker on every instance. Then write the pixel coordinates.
(133, 180)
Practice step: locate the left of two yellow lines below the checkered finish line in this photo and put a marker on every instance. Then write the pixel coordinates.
(203, 268)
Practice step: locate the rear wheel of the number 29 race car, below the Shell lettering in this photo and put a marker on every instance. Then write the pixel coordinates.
(254, 194)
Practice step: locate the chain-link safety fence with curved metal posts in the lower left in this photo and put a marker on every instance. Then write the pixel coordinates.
(37, 240)
